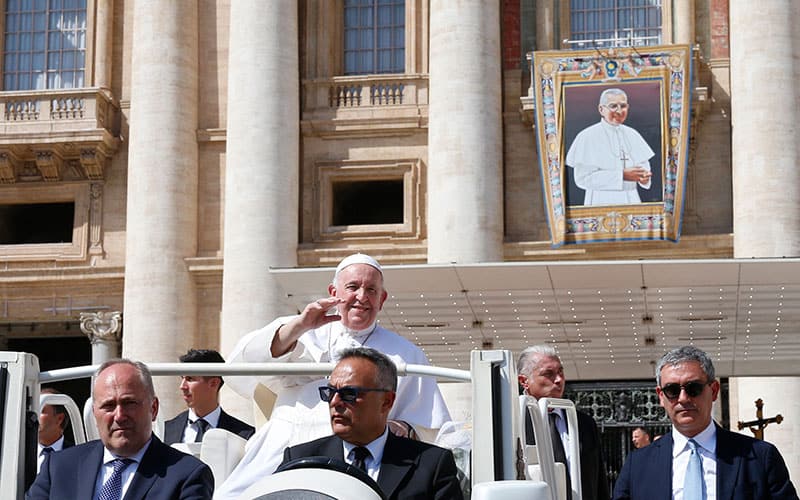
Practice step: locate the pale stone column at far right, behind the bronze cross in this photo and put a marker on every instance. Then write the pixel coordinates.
(764, 112)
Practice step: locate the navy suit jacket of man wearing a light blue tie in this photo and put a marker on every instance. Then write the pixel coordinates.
(746, 469)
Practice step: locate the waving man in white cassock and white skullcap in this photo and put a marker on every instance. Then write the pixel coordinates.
(356, 296)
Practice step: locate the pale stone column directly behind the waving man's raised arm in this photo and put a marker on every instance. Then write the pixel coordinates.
(261, 166)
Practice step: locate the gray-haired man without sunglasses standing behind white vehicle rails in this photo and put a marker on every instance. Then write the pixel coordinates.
(541, 375)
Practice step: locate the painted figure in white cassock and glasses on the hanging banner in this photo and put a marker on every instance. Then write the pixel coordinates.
(610, 159)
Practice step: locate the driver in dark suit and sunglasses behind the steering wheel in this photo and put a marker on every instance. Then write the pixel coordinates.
(360, 393)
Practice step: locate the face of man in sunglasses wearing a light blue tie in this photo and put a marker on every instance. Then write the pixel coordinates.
(690, 415)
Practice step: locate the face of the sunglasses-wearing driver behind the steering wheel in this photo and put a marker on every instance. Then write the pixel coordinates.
(363, 420)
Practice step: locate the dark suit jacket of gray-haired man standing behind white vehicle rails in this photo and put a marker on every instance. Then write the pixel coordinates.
(594, 483)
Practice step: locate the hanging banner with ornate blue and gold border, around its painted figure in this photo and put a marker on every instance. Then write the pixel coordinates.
(567, 86)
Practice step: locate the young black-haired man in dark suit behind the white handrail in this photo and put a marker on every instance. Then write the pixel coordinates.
(201, 395)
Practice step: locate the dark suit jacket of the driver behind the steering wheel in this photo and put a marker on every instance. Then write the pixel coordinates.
(409, 469)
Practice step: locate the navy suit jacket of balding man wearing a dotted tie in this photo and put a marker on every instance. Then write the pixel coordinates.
(164, 474)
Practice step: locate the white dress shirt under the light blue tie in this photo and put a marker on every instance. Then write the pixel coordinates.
(707, 448)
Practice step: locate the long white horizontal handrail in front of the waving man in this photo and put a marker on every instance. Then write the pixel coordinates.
(249, 369)
